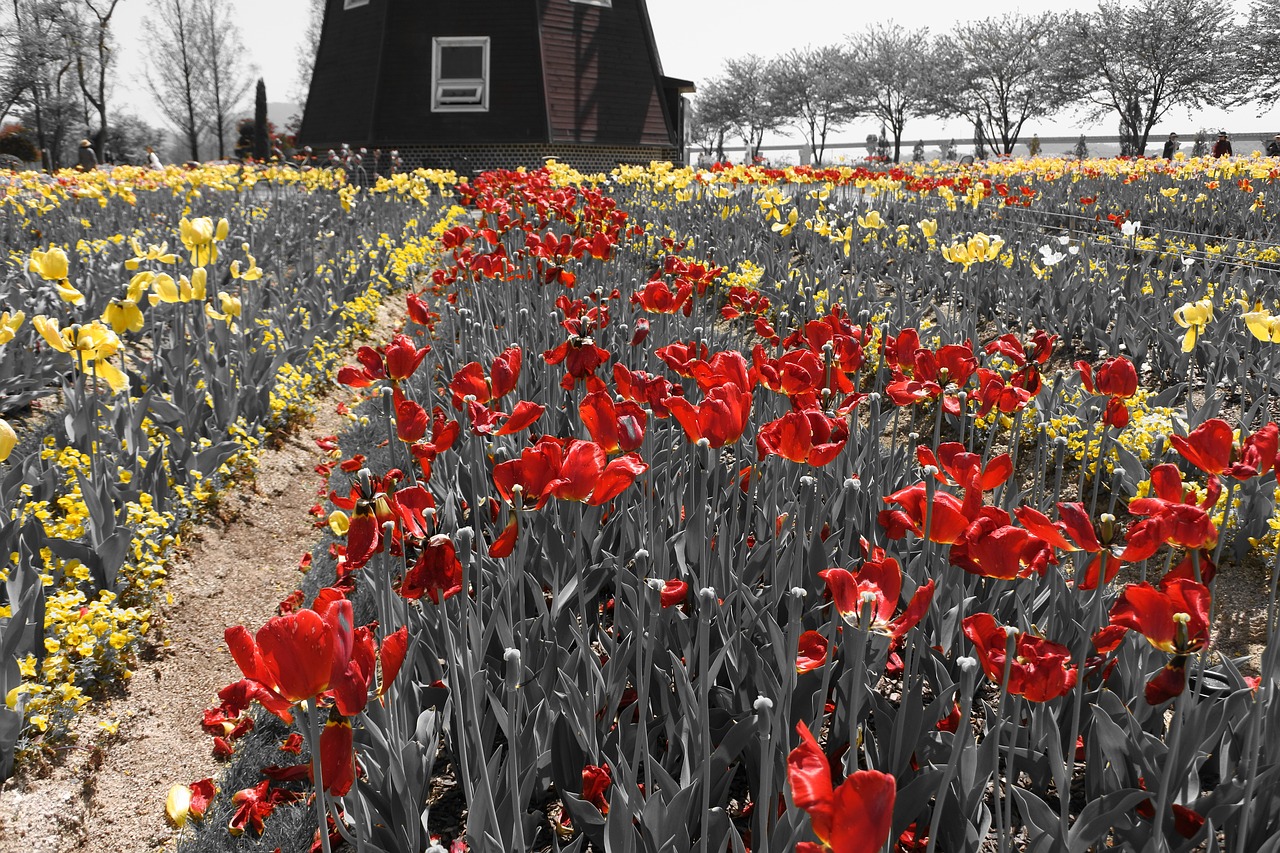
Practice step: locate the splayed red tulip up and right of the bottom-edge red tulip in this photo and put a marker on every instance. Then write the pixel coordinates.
(1041, 670)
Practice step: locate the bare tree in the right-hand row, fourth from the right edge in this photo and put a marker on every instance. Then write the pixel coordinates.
(895, 69)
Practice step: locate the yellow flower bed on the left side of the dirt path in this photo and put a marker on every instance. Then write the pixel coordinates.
(167, 398)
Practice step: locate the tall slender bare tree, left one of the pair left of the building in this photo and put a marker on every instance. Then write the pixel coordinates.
(177, 71)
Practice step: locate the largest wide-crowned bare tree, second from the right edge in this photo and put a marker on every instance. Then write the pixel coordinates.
(1140, 60)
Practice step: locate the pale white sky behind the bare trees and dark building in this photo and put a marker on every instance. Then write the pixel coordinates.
(694, 40)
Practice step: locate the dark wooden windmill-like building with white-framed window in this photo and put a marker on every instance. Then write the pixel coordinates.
(495, 85)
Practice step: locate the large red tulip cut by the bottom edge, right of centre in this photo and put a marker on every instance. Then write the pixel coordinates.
(856, 818)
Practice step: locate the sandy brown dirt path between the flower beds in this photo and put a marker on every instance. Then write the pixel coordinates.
(235, 572)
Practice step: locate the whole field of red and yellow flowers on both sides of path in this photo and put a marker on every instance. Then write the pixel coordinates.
(734, 510)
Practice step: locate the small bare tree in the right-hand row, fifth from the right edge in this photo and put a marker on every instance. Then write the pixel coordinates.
(813, 94)
